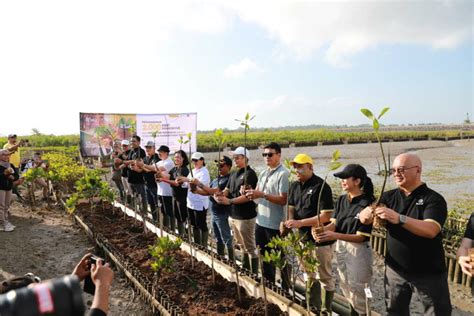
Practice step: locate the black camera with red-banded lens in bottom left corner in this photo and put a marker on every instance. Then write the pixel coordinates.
(61, 296)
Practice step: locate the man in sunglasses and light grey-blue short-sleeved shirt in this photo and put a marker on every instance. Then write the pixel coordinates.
(271, 194)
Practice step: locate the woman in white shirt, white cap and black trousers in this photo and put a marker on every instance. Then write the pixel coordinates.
(198, 204)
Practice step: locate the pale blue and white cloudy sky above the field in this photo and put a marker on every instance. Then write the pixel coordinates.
(287, 62)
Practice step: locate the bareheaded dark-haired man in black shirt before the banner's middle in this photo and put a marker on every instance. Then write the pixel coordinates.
(135, 175)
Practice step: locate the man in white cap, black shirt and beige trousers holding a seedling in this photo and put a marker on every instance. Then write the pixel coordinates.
(244, 211)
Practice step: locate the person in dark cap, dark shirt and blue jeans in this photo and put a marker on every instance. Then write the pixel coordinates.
(220, 213)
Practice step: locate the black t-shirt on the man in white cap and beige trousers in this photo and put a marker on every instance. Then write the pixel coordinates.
(246, 210)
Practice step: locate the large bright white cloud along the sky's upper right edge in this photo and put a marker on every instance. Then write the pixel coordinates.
(345, 28)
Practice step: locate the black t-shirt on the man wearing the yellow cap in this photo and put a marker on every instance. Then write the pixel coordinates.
(304, 198)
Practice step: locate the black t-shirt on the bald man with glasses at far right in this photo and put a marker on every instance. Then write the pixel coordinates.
(407, 252)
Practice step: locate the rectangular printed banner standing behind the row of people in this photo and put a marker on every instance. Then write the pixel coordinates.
(100, 132)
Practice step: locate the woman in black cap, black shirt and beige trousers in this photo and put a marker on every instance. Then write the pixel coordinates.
(353, 252)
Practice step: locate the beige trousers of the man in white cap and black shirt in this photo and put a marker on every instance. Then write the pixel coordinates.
(244, 234)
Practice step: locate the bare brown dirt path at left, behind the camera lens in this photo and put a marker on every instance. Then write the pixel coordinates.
(49, 245)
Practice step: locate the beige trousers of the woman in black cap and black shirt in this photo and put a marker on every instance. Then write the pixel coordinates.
(354, 266)
